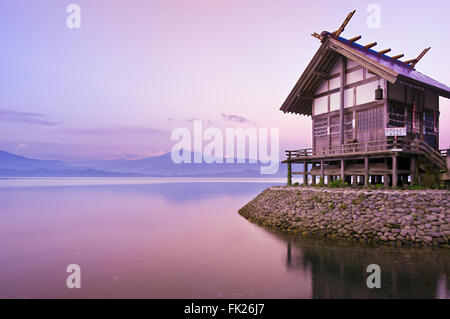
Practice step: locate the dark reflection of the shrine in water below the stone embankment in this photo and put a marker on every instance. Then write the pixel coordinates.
(340, 271)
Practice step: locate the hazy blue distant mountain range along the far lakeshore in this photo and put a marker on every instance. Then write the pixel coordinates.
(12, 165)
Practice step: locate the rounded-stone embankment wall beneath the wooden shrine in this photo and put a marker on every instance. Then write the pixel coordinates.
(421, 218)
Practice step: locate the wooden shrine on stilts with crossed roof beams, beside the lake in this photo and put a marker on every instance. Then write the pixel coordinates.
(375, 119)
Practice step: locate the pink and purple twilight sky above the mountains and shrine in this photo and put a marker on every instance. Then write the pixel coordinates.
(137, 69)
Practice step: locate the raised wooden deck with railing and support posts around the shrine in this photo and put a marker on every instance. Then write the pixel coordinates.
(365, 159)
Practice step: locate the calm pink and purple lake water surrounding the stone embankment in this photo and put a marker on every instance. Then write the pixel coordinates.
(141, 238)
